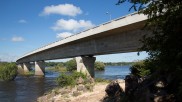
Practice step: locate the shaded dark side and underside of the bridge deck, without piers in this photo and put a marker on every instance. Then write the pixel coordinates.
(110, 42)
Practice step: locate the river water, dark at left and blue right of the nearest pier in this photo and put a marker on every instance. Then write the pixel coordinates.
(28, 89)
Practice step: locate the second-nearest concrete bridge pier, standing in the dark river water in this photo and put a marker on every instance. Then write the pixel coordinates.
(39, 68)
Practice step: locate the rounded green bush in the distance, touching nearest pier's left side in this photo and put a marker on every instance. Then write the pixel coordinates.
(71, 65)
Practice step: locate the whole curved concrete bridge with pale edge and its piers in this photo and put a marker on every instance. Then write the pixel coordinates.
(116, 36)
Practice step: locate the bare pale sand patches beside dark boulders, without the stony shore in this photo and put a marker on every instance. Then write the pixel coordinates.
(96, 96)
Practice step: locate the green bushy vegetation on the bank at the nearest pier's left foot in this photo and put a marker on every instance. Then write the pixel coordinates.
(69, 80)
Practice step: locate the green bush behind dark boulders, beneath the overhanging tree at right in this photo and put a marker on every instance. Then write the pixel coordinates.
(139, 69)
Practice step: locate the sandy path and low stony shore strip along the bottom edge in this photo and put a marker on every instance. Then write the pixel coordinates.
(96, 95)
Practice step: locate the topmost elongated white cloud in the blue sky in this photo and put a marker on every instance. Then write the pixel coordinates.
(62, 9)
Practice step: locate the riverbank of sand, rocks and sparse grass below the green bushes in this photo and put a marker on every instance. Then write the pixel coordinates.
(69, 95)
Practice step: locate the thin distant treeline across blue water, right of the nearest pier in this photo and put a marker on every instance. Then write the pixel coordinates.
(118, 63)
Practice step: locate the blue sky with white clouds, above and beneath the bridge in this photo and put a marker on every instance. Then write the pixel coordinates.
(26, 25)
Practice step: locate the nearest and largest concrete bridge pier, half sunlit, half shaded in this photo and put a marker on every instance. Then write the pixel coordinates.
(86, 65)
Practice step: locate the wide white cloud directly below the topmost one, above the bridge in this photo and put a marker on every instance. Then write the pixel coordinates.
(72, 25)
